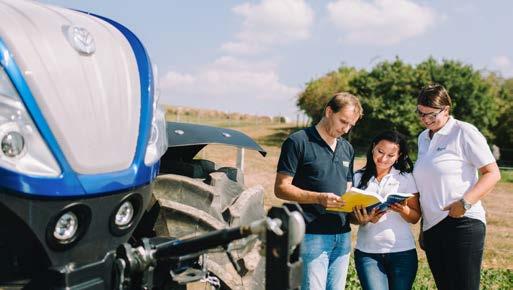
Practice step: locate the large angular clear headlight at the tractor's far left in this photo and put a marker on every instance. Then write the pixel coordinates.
(22, 149)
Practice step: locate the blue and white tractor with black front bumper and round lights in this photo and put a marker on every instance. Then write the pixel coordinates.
(82, 141)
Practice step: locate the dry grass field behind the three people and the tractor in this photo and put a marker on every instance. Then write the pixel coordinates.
(497, 270)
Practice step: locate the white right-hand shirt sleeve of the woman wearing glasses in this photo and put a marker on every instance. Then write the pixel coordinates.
(475, 147)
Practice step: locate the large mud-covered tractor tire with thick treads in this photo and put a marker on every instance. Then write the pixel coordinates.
(191, 206)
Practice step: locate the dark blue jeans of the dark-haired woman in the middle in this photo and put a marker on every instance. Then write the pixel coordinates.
(393, 271)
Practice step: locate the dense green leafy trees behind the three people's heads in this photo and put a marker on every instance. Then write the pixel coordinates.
(389, 92)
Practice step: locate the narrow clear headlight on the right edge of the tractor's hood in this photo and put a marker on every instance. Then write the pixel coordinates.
(157, 143)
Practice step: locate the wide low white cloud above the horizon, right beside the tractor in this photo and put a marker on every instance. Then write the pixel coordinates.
(233, 85)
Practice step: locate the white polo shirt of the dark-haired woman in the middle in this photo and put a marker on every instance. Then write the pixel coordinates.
(391, 233)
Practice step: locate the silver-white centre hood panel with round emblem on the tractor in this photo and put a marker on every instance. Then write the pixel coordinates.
(83, 76)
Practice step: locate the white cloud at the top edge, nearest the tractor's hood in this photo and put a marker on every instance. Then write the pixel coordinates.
(269, 23)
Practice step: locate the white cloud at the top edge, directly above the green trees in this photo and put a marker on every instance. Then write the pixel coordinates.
(380, 22)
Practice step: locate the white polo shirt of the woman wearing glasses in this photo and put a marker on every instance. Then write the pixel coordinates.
(446, 169)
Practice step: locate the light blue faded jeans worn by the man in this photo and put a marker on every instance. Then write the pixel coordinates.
(325, 261)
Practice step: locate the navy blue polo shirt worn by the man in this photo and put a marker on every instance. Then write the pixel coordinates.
(315, 167)
